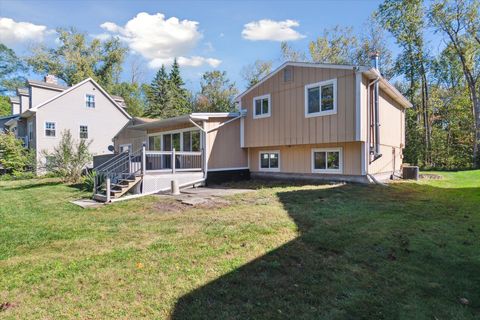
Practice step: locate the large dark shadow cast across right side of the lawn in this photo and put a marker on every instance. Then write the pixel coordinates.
(364, 252)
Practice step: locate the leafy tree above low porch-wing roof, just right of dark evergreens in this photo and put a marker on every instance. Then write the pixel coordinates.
(217, 93)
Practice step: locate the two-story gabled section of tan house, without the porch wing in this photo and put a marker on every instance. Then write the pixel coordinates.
(322, 121)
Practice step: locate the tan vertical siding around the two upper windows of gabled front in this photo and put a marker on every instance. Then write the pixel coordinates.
(287, 124)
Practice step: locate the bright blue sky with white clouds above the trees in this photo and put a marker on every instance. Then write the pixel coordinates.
(207, 34)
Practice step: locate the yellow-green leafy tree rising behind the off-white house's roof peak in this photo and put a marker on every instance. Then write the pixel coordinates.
(76, 58)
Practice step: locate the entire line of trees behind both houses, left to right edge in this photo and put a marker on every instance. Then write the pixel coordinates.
(442, 128)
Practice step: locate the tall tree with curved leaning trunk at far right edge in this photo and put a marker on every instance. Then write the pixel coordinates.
(457, 19)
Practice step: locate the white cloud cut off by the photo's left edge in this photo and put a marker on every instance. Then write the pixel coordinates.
(12, 32)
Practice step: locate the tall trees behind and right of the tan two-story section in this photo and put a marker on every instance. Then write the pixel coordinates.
(443, 127)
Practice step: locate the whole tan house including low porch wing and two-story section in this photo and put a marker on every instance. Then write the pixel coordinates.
(303, 121)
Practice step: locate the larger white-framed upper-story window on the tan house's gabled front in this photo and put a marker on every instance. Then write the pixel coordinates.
(321, 98)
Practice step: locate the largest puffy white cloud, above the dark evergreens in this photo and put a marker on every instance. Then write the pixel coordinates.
(160, 40)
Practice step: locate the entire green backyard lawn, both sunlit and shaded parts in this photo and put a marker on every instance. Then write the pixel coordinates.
(407, 251)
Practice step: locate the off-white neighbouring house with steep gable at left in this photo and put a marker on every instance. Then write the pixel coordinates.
(45, 109)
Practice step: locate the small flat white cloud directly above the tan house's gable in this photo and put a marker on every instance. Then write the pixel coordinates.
(266, 29)
